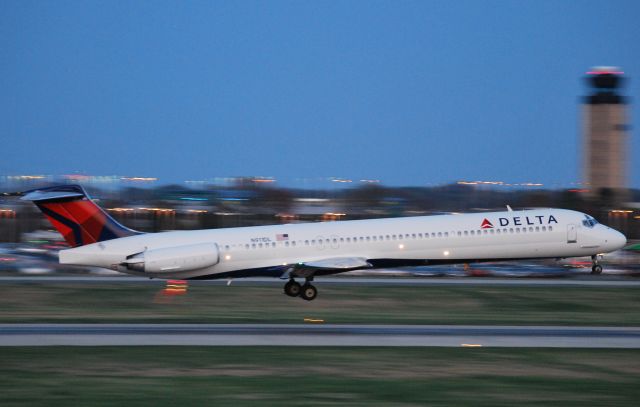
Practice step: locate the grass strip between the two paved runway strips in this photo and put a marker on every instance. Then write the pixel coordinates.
(520, 305)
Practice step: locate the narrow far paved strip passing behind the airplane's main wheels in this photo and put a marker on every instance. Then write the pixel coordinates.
(583, 281)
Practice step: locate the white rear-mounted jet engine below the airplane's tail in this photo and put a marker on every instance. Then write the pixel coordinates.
(172, 259)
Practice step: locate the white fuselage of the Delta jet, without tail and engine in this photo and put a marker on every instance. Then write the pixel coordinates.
(540, 233)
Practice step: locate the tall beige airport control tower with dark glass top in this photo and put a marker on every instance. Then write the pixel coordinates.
(605, 132)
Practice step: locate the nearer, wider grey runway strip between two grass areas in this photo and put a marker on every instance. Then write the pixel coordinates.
(317, 335)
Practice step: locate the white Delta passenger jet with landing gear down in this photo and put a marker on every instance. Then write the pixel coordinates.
(307, 250)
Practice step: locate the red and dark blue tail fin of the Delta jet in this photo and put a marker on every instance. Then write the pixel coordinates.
(78, 219)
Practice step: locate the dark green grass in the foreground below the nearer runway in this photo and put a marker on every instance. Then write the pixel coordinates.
(198, 376)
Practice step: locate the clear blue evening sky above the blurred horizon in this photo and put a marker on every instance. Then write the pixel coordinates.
(411, 93)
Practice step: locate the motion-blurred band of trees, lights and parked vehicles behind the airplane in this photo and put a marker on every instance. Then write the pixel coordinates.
(30, 245)
